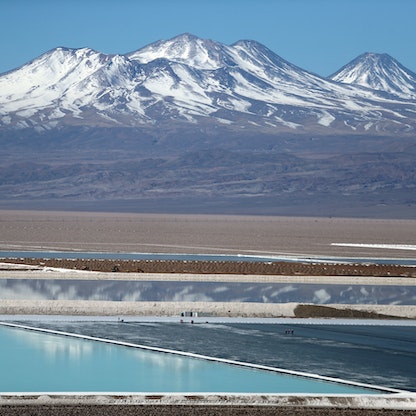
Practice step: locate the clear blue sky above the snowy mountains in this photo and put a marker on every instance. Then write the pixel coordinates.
(318, 35)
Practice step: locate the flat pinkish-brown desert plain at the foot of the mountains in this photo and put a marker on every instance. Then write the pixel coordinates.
(82, 231)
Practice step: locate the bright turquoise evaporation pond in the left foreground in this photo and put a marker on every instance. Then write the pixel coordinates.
(32, 361)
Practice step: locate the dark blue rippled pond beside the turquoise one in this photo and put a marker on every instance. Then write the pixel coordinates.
(383, 355)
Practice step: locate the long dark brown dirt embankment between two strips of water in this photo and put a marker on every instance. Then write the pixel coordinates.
(222, 267)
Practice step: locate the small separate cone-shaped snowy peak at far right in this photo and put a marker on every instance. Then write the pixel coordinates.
(379, 72)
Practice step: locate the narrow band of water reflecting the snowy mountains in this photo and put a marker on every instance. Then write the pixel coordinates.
(179, 291)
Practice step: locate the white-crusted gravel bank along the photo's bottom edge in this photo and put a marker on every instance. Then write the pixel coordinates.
(208, 404)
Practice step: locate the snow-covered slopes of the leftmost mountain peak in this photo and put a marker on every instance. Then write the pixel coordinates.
(66, 82)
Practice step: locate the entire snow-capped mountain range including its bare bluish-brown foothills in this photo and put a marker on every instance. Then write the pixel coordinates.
(193, 125)
